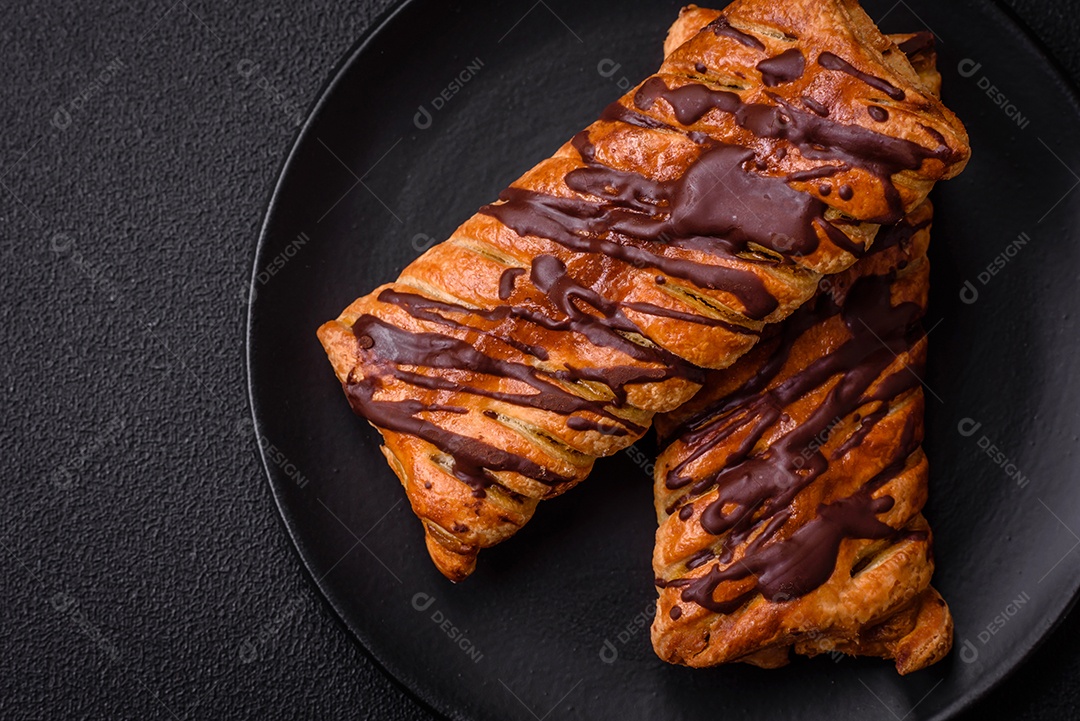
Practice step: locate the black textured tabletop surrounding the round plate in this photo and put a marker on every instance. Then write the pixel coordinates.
(145, 574)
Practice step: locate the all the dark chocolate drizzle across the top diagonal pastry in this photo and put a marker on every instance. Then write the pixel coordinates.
(630, 220)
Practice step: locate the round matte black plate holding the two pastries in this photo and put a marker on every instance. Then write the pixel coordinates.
(555, 622)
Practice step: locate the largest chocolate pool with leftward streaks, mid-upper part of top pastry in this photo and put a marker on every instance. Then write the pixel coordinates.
(634, 216)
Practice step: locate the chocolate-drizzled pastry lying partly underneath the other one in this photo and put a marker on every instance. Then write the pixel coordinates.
(790, 497)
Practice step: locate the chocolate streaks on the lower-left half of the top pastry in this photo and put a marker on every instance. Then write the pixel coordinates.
(387, 349)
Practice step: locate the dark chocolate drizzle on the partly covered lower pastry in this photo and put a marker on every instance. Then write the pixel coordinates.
(757, 488)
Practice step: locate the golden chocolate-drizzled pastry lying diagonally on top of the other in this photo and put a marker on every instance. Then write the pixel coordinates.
(704, 206)
